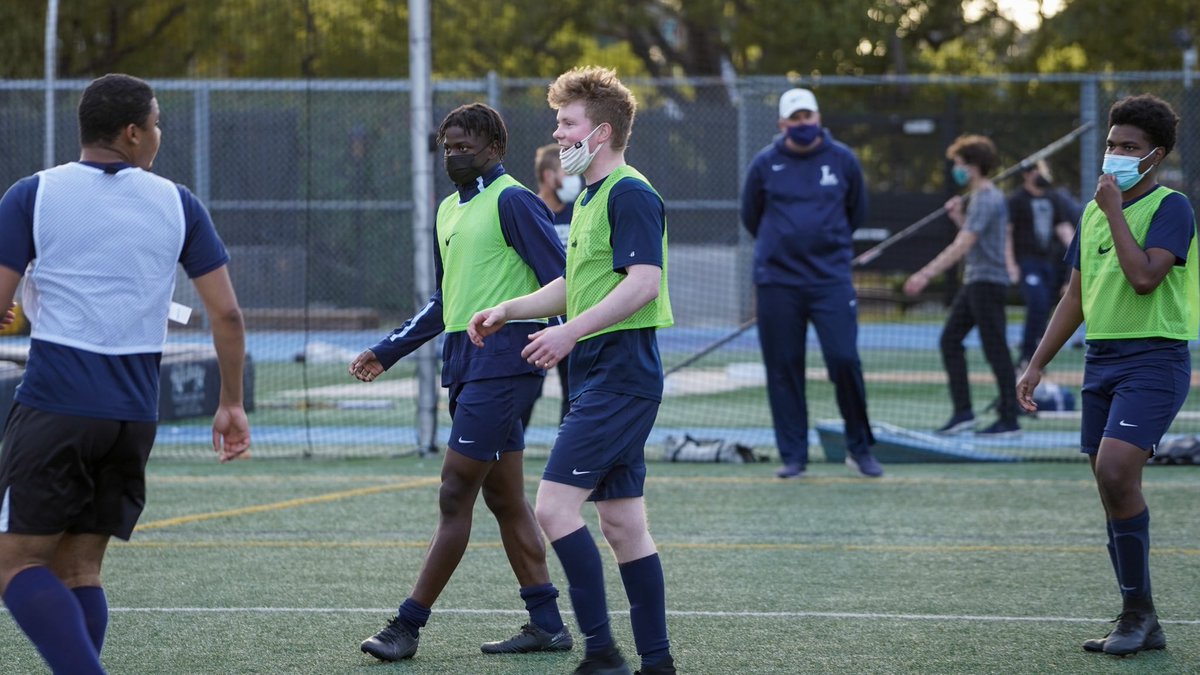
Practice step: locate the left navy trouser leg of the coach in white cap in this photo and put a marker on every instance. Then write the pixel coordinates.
(783, 332)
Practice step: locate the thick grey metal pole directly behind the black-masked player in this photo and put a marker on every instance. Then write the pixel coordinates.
(422, 109)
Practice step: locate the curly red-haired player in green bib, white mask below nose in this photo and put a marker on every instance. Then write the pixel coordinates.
(615, 297)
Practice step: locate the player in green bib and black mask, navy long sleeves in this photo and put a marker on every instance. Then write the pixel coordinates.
(495, 241)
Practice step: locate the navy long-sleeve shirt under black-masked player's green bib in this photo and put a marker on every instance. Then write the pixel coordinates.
(527, 226)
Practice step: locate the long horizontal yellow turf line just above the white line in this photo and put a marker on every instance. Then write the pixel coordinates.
(716, 546)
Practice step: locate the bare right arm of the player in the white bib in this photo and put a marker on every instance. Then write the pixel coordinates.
(231, 429)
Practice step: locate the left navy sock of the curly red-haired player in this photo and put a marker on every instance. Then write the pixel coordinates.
(585, 582)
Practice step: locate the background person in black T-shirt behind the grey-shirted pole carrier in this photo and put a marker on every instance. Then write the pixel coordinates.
(1042, 228)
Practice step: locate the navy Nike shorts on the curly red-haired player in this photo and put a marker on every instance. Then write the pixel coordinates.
(602, 445)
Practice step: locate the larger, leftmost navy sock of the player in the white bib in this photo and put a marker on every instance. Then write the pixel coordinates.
(50, 616)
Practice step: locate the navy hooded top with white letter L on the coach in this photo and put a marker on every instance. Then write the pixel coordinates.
(802, 210)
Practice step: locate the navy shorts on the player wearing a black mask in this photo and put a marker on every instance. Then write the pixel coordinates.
(487, 415)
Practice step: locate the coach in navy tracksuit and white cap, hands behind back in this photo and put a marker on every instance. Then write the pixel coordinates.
(803, 196)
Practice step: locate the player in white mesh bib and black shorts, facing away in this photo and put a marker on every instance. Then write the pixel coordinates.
(101, 272)
